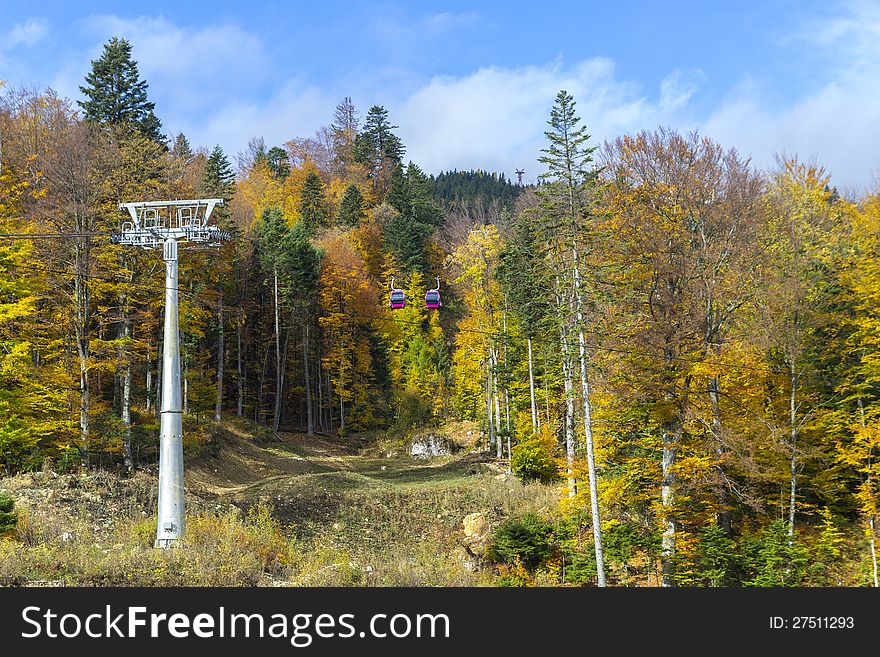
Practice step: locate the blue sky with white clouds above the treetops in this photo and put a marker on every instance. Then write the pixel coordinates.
(470, 84)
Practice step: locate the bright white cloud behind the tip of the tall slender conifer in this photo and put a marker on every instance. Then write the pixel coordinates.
(495, 118)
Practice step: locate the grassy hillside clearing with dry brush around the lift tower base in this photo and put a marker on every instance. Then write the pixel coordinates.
(282, 509)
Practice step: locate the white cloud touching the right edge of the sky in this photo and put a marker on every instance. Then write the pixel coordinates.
(835, 124)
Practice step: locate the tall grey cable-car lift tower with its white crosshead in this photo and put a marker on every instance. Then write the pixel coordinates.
(167, 223)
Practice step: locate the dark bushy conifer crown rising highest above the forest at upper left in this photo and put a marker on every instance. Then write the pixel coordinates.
(115, 93)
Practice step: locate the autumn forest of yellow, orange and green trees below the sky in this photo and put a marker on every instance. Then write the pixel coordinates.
(683, 345)
